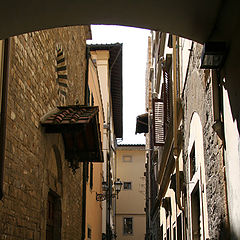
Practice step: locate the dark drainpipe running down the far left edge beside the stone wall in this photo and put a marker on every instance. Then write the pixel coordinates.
(3, 116)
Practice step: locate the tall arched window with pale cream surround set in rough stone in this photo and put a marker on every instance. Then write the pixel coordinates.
(197, 184)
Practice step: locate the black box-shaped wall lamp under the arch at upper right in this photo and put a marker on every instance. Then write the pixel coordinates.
(213, 55)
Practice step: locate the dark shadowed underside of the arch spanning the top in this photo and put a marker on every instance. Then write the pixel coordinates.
(196, 20)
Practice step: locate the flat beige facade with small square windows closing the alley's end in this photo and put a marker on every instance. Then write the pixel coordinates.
(130, 215)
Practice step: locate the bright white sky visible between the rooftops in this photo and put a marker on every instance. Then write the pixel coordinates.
(134, 66)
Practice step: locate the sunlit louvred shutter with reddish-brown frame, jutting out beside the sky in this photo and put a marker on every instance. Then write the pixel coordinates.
(158, 122)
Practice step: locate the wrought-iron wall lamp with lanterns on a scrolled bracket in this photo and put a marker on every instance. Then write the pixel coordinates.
(106, 191)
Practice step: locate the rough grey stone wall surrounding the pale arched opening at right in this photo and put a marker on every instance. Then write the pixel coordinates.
(198, 98)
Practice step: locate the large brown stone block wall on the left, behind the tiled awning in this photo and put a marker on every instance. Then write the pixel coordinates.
(34, 162)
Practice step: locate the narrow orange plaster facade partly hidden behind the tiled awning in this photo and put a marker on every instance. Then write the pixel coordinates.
(94, 174)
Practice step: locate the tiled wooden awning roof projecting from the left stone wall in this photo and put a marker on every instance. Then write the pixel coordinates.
(79, 127)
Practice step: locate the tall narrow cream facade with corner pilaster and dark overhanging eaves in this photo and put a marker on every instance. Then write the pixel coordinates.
(106, 65)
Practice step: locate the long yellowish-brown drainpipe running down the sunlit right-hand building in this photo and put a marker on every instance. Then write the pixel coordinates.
(175, 120)
